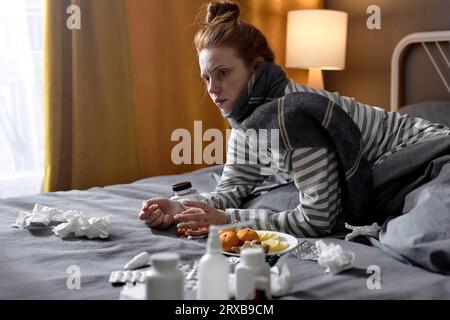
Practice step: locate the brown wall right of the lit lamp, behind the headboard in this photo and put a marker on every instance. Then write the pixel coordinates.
(367, 73)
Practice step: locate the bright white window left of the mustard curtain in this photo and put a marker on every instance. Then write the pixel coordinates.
(21, 97)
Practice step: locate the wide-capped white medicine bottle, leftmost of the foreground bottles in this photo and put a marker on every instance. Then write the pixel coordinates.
(165, 281)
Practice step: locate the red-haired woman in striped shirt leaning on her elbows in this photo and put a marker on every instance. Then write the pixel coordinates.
(240, 75)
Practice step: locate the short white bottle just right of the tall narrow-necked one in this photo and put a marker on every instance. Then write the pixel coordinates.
(252, 265)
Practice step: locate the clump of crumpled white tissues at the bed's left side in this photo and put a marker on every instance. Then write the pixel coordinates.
(69, 222)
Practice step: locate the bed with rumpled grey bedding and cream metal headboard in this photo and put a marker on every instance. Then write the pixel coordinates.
(36, 264)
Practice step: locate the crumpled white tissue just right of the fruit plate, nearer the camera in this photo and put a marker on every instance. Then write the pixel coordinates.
(334, 258)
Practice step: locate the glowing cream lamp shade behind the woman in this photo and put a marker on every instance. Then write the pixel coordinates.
(316, 39)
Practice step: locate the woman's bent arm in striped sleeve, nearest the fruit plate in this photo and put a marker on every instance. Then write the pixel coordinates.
(316, 177)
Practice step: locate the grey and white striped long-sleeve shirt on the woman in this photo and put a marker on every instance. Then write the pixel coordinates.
(314, 170)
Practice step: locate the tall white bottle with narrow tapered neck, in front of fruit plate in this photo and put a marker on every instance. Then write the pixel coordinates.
(213, 270)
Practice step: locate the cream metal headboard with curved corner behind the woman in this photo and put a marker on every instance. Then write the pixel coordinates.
(422, 38)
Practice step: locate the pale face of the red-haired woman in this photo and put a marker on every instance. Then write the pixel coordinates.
(224, 74)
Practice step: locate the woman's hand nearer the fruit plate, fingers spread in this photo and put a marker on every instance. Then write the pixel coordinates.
(199, 217)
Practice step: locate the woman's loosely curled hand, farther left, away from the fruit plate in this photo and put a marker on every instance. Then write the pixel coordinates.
(159, 212)
